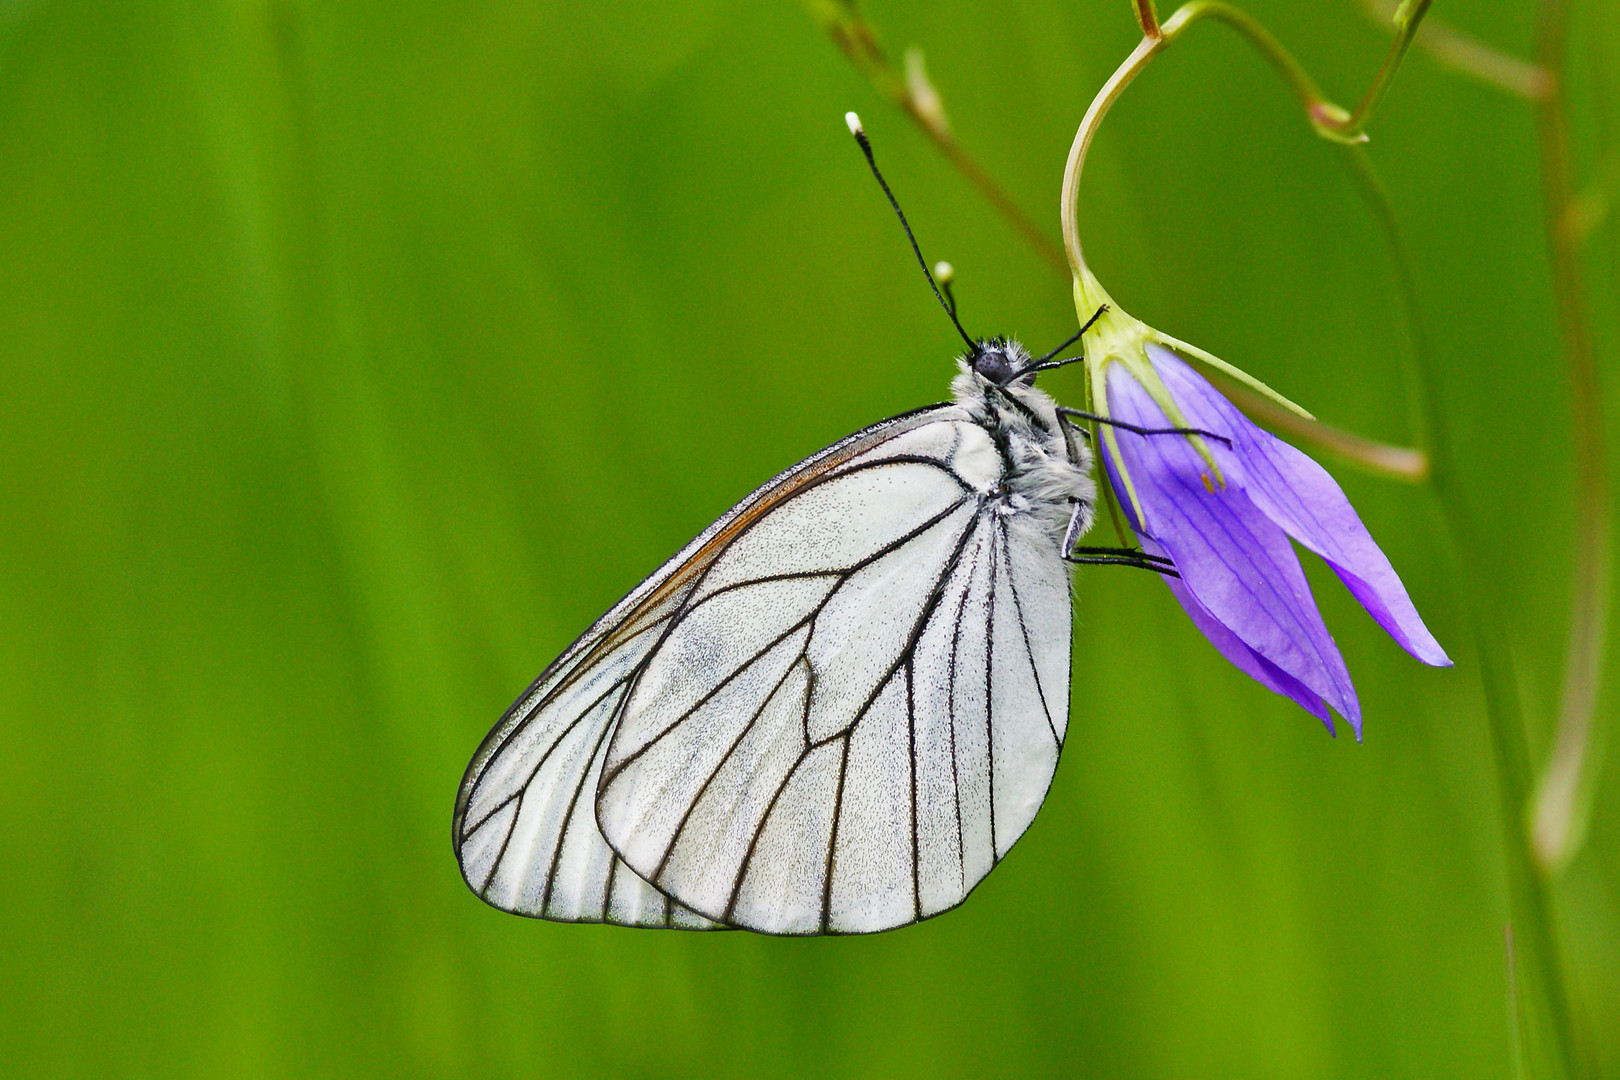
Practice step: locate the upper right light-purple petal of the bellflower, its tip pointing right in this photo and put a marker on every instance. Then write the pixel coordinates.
(1302, 498)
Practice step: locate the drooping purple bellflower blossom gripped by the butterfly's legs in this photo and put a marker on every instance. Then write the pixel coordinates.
(1226, 514)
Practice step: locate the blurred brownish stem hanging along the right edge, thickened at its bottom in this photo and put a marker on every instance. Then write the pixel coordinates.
(1559, 814)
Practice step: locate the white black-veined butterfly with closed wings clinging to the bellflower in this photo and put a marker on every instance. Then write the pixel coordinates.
(833, 712)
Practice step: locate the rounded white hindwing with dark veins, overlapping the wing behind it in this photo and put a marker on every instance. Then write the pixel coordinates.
(858, 707)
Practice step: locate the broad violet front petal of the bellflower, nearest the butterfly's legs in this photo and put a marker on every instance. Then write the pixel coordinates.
(1232, 558)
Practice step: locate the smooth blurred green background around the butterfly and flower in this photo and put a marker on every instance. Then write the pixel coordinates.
(356, 357)
